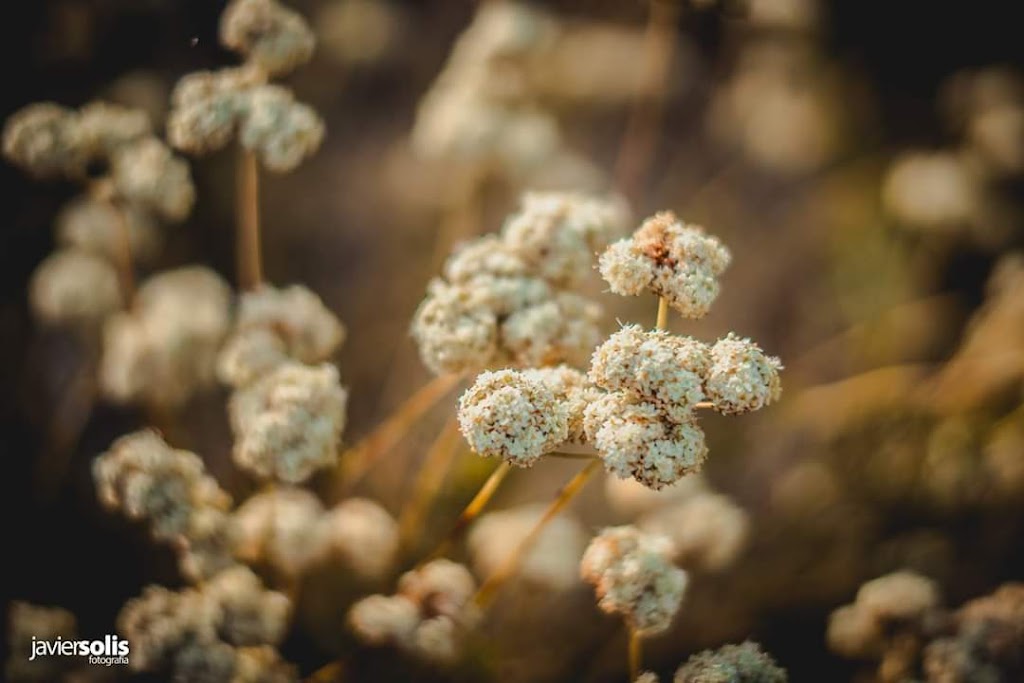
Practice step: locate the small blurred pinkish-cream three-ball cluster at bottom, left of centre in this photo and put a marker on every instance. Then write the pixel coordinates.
(429, 617)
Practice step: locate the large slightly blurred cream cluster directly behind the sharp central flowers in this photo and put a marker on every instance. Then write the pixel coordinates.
(505, 300)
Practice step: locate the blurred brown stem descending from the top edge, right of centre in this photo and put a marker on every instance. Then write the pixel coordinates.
(644, 127)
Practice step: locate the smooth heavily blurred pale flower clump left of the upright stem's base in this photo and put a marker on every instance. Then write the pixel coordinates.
(164, 350)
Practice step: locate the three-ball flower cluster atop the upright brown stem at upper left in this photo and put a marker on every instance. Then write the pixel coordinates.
(209, 109)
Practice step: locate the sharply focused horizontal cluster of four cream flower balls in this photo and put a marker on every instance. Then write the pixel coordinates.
(636, 407)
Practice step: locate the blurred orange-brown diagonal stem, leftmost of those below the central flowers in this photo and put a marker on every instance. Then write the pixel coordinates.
(357, 461)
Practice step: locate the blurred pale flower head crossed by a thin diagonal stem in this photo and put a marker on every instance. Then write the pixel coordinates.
(551, 564)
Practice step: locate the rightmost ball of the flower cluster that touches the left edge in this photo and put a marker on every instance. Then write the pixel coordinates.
(147, 173)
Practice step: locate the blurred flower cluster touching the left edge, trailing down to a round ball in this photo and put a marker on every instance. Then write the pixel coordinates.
(78, 285)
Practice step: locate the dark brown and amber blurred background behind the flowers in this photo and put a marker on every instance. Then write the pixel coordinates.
(863, 161)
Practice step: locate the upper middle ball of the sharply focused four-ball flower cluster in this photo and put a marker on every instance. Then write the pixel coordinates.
(658, 368)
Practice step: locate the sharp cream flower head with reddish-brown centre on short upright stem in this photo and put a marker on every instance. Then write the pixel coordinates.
(670, 260)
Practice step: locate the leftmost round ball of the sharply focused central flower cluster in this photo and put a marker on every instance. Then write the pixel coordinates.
(508, 415)
